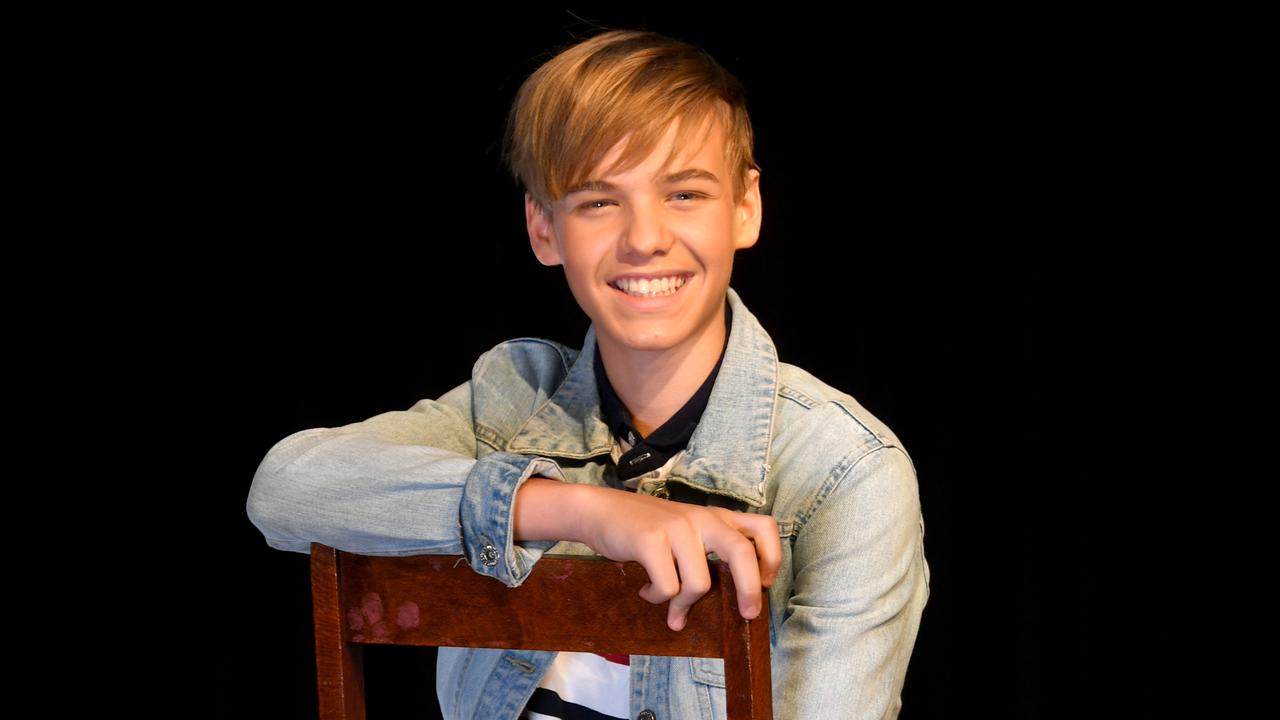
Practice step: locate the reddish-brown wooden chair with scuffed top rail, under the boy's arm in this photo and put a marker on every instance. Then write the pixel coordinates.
(568, 603)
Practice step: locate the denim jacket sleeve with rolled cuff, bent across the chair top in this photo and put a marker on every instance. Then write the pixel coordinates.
(400, 484)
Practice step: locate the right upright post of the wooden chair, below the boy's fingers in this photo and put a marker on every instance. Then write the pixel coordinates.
(748, 678)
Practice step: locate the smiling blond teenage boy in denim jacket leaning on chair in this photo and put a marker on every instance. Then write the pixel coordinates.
(673, 434)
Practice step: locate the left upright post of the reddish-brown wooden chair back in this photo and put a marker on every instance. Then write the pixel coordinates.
(340, 664)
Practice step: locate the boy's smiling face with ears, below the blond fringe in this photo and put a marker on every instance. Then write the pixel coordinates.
(678, 234)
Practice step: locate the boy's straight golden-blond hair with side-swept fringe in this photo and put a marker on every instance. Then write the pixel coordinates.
(578, 106)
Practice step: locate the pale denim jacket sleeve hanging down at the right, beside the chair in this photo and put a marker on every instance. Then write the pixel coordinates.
(861, 584)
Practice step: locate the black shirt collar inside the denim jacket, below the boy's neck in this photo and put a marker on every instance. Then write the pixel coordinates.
(651, 453)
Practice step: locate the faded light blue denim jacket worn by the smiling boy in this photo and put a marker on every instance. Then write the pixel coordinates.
(441, 477)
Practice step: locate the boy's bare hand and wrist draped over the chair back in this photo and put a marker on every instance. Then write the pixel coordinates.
(665, 537)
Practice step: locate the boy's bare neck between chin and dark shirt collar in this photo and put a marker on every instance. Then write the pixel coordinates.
(655, 385)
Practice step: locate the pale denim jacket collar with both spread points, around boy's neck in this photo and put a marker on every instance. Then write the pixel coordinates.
(729, 450)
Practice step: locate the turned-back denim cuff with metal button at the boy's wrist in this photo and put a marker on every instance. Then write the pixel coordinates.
(488, 516)
